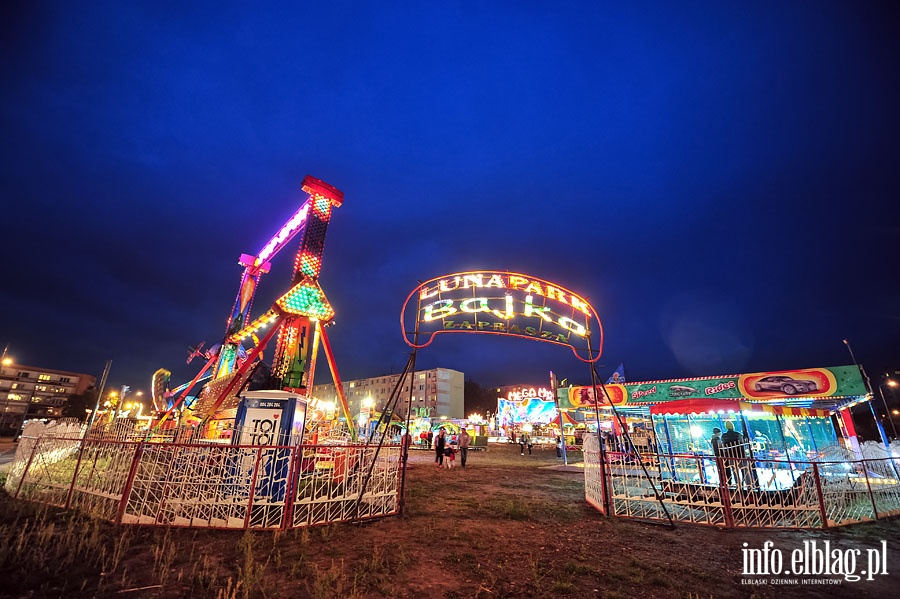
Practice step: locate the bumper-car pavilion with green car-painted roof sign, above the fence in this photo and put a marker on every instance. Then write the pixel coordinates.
(811, 406)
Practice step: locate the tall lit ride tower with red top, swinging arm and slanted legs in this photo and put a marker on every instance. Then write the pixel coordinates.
(299, 316)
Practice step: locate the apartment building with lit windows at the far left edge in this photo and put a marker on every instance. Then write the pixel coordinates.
(32, 392)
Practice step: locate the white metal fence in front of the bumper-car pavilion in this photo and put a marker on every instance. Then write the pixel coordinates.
(741, 493)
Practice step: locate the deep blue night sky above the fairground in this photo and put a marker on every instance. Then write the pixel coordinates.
(719, 179)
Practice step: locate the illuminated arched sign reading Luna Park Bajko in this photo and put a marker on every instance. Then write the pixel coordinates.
(502, 303)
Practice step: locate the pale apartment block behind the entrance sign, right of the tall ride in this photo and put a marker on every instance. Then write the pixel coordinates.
(436, 393)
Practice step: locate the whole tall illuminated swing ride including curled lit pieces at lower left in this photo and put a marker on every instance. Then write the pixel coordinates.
(299, 319)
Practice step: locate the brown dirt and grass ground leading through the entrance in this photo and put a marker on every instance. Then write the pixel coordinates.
(506, 526)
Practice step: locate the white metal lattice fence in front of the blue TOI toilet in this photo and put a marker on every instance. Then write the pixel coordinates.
(209, 485)
